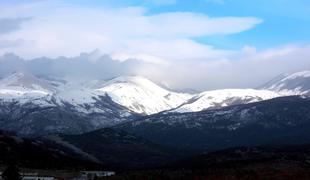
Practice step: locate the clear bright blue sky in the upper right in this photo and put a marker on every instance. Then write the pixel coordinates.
(285, 21)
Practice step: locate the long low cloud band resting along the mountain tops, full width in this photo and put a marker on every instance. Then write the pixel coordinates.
(247, 68)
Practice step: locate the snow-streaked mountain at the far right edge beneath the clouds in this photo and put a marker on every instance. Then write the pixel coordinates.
(297, 83)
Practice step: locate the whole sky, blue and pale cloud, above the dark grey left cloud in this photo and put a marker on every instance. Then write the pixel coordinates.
(201, 44)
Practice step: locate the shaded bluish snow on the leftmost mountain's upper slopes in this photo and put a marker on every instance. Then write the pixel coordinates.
(25, 88)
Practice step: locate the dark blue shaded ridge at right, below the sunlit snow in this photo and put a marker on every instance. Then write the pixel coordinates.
(283, 120)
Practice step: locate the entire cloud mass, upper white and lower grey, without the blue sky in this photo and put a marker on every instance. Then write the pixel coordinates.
(133, 41)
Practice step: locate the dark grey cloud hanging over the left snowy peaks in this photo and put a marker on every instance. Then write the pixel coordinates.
(80, 67)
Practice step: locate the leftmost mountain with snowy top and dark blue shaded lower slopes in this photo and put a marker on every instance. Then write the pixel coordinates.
(36, 106)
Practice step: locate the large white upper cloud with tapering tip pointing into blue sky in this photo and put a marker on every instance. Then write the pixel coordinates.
(64, 29)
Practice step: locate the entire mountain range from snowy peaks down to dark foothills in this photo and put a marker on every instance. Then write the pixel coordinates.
(131, 122)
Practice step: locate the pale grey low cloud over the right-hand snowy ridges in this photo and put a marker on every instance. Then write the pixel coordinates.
(247, 68)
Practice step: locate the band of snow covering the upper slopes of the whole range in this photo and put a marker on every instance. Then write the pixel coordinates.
(136, 93)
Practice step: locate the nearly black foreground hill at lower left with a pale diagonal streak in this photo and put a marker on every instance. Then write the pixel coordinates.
(105, 148)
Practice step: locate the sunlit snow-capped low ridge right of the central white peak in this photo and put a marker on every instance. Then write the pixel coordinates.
(225, 97)
